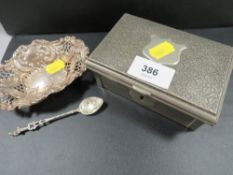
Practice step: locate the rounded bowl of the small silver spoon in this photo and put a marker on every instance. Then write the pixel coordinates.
(90, 105)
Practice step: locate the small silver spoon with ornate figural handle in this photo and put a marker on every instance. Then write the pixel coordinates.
(88, 106)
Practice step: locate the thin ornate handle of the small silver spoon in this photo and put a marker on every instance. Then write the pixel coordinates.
(40, 123)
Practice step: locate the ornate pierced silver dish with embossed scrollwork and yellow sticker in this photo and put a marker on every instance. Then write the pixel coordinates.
(39, 69)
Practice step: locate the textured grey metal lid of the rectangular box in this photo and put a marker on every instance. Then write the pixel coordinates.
(202, 75)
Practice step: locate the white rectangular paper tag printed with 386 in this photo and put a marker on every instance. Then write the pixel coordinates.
(151, 72)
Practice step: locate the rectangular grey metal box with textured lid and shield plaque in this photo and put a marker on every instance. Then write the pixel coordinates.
(202, 69)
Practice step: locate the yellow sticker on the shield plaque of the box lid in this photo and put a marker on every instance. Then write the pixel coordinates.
(161, 50)
